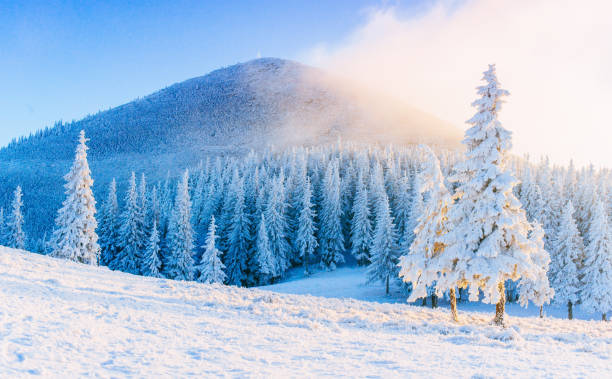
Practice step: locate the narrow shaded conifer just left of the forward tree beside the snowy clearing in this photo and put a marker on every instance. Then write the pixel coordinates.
(361, 227)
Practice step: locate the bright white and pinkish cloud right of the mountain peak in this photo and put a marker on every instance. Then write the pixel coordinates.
(553, 56)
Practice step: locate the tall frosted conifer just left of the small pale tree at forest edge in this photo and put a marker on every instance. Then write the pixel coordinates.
(180, 234)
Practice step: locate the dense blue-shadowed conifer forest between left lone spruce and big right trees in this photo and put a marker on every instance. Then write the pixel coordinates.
(308, 207)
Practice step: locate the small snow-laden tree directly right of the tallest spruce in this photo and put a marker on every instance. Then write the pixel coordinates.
(537, 289)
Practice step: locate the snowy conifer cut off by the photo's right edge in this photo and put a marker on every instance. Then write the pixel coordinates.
(597, 270)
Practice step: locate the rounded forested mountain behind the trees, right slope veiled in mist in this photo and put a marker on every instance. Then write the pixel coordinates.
(235, 109)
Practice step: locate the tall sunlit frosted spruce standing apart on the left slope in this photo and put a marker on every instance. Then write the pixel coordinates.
(75, 237)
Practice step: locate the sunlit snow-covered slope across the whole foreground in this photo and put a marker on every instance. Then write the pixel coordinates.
(61, 319)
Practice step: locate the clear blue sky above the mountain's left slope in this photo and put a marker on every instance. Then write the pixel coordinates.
(65, 59)
